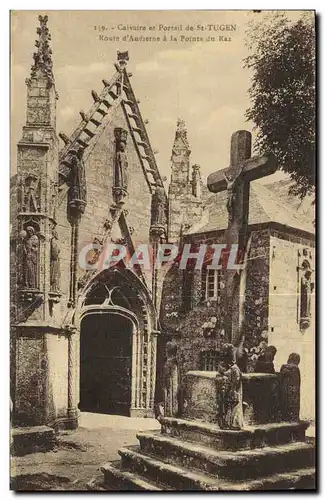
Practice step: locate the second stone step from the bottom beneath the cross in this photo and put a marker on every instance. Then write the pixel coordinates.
(242, 464)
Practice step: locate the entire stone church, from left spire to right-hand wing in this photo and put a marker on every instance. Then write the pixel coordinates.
(93, 339)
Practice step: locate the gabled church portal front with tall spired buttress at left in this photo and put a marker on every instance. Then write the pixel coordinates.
(99, 185)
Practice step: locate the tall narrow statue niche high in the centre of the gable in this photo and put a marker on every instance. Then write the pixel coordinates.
(120, 165)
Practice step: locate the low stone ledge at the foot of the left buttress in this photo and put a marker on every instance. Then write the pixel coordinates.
(32, 439)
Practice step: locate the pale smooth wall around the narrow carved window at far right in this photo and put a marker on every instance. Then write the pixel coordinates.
(284, 329)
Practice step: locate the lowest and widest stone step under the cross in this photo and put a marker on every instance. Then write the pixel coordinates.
(180, 479)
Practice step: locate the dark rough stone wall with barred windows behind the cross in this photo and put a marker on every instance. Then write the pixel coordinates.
(185, 318)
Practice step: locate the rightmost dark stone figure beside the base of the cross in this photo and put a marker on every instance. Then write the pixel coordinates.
(290, 389)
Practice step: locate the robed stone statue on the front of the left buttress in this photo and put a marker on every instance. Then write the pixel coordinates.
(30, 258)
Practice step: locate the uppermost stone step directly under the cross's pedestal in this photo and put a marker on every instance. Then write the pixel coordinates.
(250, 437)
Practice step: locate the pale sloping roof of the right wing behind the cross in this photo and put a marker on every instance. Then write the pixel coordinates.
(267, 203)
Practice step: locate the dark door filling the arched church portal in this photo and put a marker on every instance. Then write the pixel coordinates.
(106, 363)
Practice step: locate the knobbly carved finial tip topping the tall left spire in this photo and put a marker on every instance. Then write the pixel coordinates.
(43, 56)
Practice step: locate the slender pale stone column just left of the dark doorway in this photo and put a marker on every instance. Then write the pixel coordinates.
(72, 411)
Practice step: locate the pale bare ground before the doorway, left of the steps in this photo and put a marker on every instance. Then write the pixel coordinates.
(78, 454)
